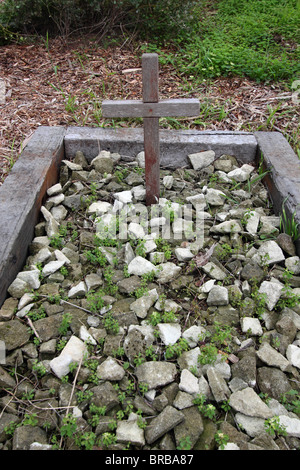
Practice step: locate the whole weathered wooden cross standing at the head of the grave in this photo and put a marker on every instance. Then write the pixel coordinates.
(151, 109)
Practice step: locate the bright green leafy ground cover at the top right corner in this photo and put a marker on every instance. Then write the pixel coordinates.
(258, 39)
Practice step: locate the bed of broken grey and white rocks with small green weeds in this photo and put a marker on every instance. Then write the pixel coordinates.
(174, 326)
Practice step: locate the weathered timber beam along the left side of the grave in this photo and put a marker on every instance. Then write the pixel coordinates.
(21, 197)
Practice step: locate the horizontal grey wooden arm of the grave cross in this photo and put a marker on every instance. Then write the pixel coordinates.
(136, 108)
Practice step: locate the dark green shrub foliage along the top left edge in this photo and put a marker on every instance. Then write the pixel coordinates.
(161, 18)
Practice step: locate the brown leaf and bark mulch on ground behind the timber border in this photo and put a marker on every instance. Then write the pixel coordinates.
(63, 83)
